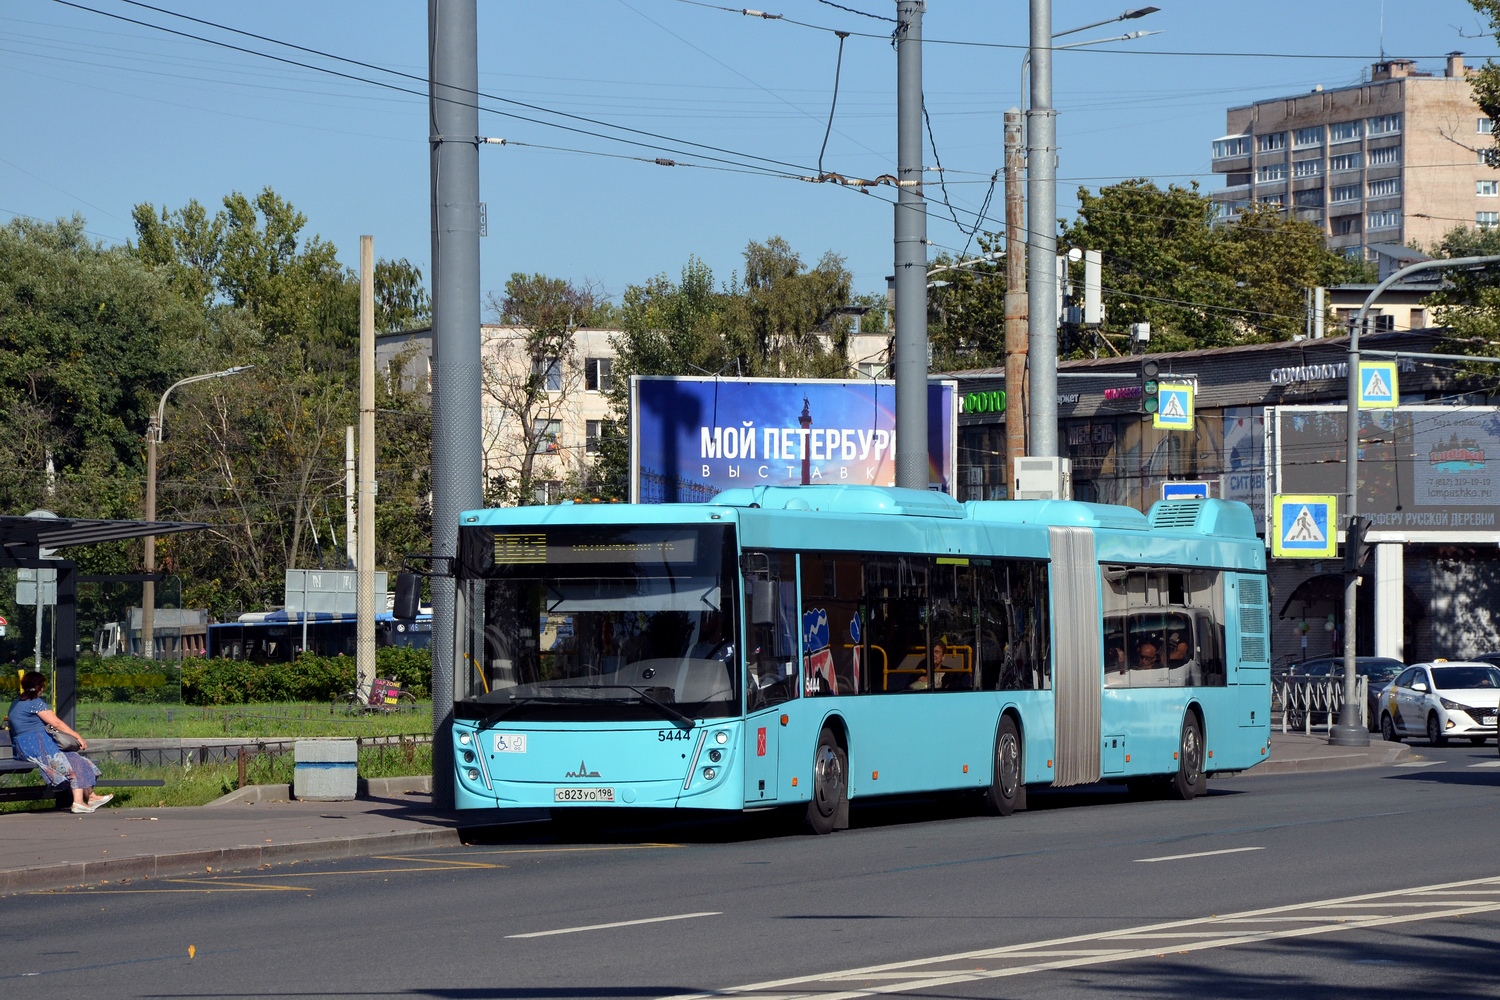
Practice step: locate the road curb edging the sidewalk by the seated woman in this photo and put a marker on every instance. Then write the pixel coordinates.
(70, 875)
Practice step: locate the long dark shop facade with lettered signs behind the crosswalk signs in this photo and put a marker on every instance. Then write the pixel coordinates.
(1435, 576)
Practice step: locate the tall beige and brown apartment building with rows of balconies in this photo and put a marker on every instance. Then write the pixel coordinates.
(1393, 161)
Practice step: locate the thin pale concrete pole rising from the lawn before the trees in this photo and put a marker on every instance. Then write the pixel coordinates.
(365, 561)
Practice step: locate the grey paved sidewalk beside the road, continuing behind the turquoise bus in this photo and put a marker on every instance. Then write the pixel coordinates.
(257, 825)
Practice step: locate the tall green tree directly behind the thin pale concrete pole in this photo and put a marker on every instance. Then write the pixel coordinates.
(260, 457)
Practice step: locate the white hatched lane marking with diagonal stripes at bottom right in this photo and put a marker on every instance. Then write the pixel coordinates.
(919, 971)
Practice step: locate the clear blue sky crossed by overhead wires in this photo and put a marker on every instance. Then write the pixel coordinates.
(101, 115)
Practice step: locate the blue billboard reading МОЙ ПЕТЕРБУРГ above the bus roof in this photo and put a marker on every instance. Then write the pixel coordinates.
(695, 437)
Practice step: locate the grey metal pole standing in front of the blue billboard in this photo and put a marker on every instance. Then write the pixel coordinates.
(911, 253)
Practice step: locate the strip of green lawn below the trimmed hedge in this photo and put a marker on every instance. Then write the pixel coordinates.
(286, 720)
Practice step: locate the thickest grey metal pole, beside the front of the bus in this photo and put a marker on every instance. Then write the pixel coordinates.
(457, 448)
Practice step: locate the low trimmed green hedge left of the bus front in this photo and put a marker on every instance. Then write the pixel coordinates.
(310, 678)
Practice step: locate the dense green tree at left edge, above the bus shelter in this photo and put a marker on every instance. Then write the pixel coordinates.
(89, 338)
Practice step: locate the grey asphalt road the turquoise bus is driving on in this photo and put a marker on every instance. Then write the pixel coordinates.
(1300, 885)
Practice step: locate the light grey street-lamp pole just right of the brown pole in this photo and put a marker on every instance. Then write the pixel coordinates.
(1042, 238)
